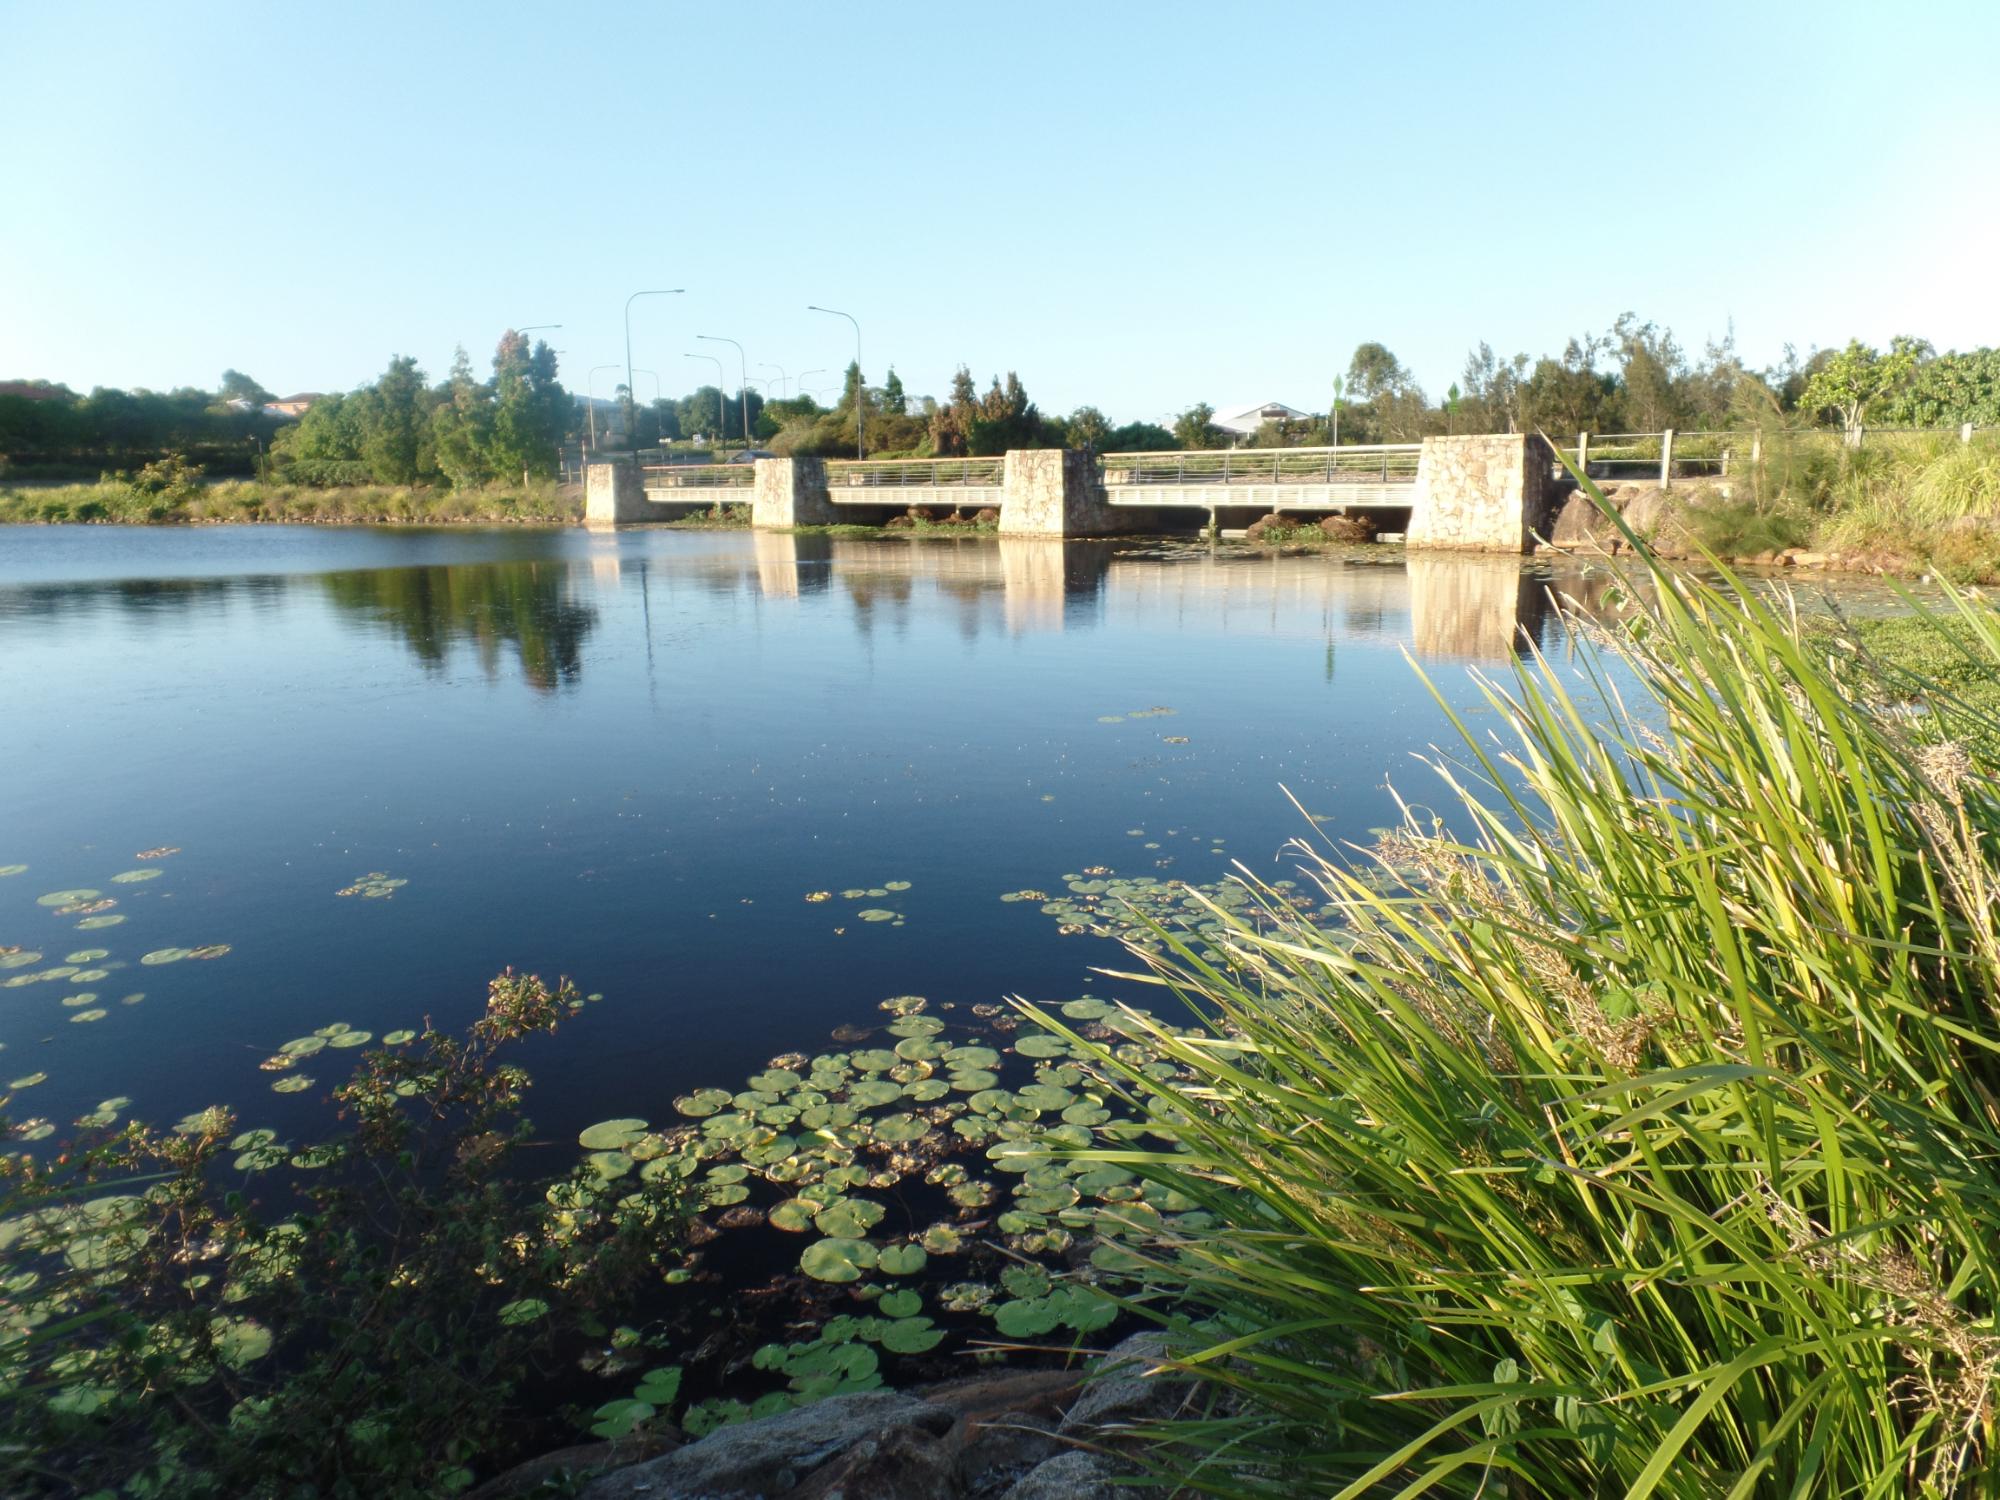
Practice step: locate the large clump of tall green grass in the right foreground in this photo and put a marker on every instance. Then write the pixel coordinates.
(1641, 1143)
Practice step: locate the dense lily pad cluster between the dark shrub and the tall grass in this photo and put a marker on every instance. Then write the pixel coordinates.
(933, 1183)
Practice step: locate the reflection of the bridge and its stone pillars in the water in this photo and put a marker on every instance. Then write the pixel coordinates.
(1443, 605)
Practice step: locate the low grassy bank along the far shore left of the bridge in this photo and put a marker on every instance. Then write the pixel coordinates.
(257, 501)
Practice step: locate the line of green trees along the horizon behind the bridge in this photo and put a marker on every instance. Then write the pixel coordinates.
(463, 431)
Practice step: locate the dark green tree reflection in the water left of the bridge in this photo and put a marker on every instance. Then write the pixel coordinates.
(489, 605)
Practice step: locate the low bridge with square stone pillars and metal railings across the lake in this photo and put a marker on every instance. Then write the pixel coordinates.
(1487, 493)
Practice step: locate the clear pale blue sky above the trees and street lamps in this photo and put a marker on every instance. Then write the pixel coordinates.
(1131, 205)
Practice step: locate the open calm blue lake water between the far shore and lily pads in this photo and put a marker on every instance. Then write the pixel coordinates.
(629, 759)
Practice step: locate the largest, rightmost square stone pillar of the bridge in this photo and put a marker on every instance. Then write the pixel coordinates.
(1483, 495)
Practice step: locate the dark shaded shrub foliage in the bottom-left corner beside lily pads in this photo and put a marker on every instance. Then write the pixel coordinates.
(363, 1337)
